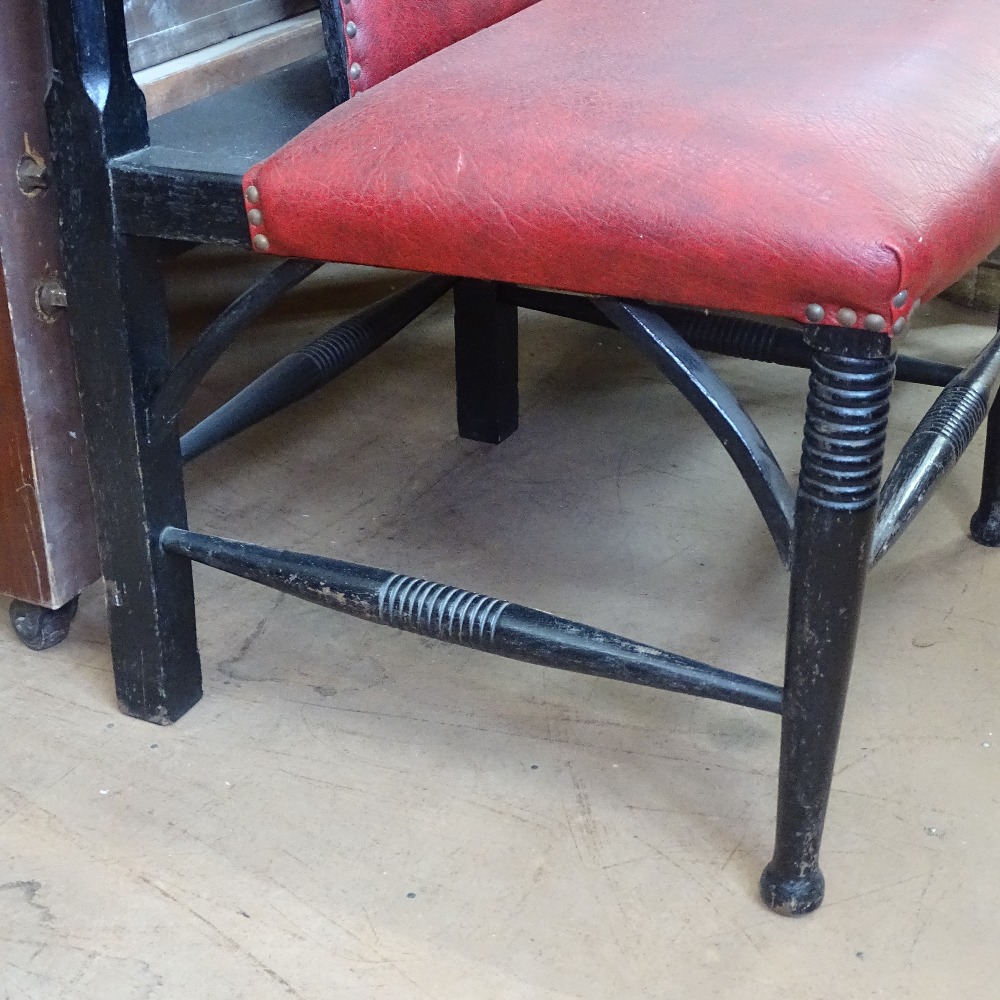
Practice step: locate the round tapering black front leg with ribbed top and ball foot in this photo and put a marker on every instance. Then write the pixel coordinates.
(842, 452)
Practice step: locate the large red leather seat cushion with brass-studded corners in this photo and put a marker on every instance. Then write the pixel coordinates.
(754, 156)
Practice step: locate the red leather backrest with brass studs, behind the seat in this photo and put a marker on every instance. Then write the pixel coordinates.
(389, 35)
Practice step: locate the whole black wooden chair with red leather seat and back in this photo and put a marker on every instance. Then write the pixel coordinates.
(666, 180)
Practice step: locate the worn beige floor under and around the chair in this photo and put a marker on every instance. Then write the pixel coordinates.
(357, 813)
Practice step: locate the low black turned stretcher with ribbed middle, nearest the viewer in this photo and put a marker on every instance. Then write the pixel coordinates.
(463, 618)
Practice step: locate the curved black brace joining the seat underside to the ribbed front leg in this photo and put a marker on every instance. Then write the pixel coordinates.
(719, 408)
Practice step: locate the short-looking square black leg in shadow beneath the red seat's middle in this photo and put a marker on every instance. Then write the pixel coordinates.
(485, 362)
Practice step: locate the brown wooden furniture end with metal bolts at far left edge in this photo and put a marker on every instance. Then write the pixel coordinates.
(47, 548)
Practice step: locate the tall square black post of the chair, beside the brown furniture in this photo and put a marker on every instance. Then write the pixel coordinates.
(120, 342)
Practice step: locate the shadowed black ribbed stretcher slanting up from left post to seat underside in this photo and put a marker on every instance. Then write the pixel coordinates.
(315, 364)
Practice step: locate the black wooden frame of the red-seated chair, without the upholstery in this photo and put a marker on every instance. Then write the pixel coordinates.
(125, 197)
